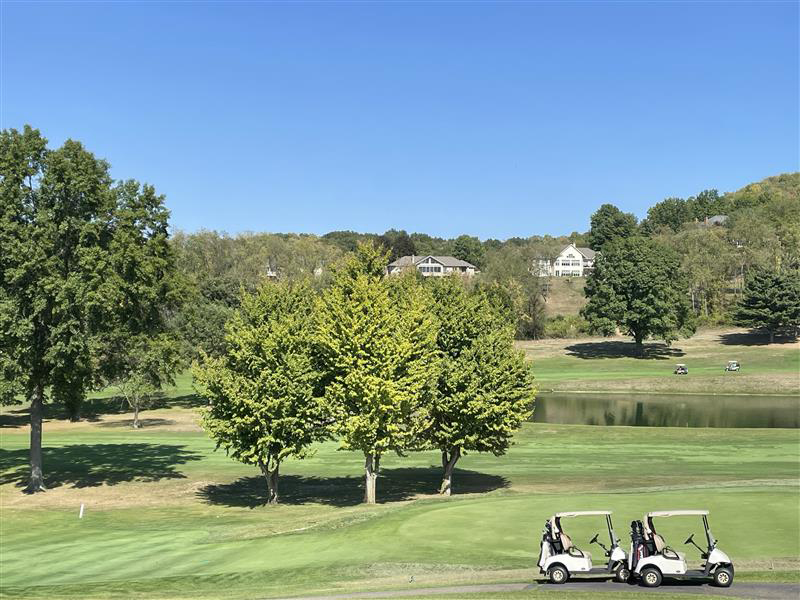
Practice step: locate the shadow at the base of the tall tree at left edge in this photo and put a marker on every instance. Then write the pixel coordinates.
(90, 465)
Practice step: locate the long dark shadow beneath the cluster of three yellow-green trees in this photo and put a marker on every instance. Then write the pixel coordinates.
(394, 485)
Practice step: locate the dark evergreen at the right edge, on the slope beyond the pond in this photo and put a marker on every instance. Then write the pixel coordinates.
(771, 301)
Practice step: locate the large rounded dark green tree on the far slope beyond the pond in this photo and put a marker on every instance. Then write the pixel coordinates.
(637, 286)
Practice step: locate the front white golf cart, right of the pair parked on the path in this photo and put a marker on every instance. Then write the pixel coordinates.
(651, 559)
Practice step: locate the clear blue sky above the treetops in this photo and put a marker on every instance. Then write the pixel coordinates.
(492, 119)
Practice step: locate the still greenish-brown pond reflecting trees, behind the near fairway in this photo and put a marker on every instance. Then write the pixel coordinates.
(664, 410)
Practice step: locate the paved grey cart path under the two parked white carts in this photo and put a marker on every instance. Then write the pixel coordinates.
(754, 591)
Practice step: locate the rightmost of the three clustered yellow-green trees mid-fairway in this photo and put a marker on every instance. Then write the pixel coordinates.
(485, 390)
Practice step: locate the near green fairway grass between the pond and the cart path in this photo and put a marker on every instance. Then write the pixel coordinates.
(167, 517)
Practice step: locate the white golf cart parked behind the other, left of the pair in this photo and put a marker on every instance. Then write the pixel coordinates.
(560, 559)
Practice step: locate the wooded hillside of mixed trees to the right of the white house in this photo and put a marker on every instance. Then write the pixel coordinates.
(658, 278)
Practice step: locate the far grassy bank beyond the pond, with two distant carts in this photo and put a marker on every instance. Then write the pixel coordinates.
(610, 364)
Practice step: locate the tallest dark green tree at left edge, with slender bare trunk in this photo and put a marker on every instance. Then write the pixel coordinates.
(65, 235)
